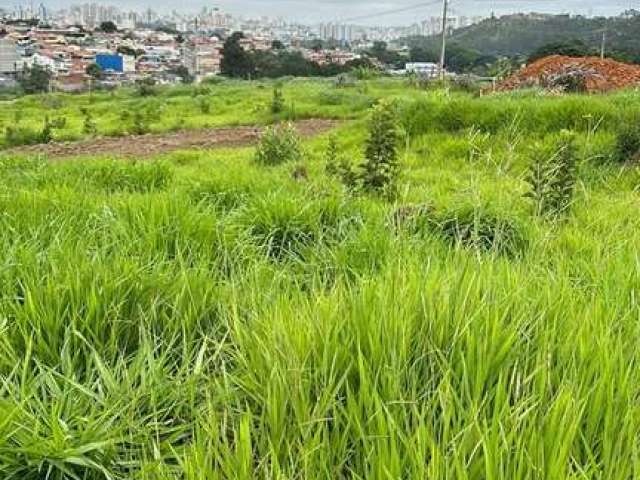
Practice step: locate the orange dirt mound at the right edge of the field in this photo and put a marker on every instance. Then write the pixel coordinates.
(592, 73)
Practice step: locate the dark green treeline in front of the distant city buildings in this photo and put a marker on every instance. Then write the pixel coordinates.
(277, 62)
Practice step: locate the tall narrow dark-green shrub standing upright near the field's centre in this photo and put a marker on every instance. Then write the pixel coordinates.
(380, 170)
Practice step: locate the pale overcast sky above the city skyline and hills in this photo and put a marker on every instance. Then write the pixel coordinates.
(312, 11)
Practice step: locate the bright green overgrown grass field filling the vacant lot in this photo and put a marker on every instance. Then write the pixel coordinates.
(203, 315)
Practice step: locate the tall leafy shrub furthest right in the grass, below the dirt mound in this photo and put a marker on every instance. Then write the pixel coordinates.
(552, 176)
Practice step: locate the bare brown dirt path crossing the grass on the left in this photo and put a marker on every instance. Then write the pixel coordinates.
(153, 144)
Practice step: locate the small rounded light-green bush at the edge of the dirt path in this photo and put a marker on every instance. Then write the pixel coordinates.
(279, 144)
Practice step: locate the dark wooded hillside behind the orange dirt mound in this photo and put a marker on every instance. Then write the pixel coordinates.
(522, 34)
